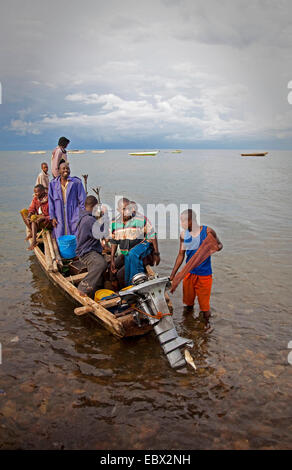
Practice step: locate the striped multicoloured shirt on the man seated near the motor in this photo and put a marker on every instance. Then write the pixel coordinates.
(131, 232)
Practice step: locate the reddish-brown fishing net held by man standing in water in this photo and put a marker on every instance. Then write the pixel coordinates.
(208, 247)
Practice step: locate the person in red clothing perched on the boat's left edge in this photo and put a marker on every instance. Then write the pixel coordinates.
(37, 215)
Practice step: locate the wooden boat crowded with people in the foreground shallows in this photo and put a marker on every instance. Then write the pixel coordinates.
(122, 324)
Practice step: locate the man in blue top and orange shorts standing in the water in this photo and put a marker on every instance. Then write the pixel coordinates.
(198, 282)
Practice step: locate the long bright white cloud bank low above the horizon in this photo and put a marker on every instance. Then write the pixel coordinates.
(216, 113)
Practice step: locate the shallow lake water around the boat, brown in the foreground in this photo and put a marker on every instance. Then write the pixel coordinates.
(65, 382)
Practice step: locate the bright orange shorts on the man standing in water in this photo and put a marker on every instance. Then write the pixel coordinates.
(197, 286)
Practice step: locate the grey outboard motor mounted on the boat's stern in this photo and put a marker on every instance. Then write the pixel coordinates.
(149, 297)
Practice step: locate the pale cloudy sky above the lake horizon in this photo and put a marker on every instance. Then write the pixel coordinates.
(146, 74)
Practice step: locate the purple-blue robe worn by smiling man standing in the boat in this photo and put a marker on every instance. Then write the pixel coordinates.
(75, 198)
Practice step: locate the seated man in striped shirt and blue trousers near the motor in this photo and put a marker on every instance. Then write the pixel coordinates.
(135, 236)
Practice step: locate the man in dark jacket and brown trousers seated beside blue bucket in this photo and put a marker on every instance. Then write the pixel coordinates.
(89, 248)
